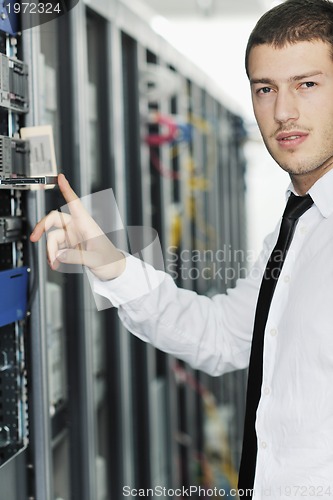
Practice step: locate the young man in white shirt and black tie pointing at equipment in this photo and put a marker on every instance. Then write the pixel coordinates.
(289, 61)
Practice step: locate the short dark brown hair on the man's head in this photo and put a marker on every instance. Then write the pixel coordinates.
(291, 22)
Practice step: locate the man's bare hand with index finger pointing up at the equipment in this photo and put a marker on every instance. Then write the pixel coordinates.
(78, 239)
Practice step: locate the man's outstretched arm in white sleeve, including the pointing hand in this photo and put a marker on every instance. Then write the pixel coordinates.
(211, 334)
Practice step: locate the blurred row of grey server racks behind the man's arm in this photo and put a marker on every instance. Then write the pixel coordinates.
(105, 410)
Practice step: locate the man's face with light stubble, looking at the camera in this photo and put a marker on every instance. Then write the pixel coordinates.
(292, 95)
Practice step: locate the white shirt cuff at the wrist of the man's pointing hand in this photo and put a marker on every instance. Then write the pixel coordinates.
(138, 279)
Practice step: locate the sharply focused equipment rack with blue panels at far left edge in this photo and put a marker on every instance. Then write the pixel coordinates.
(15, 379)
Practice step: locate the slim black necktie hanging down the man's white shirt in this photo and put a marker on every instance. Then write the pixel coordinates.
(296, 206)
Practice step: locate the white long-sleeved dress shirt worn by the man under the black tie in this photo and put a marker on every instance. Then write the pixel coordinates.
(295, 414)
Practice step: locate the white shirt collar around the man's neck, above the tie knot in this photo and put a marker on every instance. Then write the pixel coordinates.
(321, 193)
